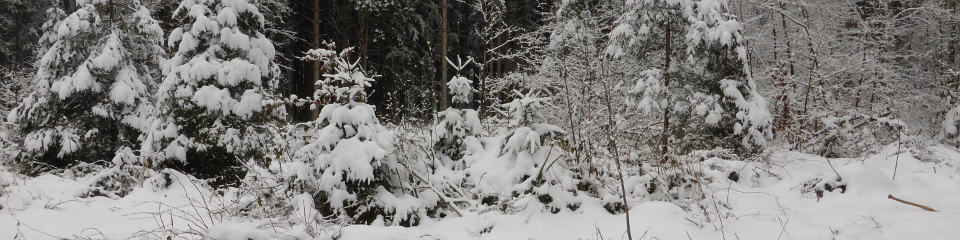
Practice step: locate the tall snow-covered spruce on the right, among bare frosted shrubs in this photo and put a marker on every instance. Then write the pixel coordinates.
(697, 82)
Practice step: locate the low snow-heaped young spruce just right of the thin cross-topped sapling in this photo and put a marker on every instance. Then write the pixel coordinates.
(529, 166)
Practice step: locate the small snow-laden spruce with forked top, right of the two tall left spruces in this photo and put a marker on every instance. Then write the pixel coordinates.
(342, 161)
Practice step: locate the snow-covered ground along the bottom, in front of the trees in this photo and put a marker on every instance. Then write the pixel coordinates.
(767, 202)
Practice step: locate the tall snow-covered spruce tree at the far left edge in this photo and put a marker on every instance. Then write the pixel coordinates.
(91, 94)
